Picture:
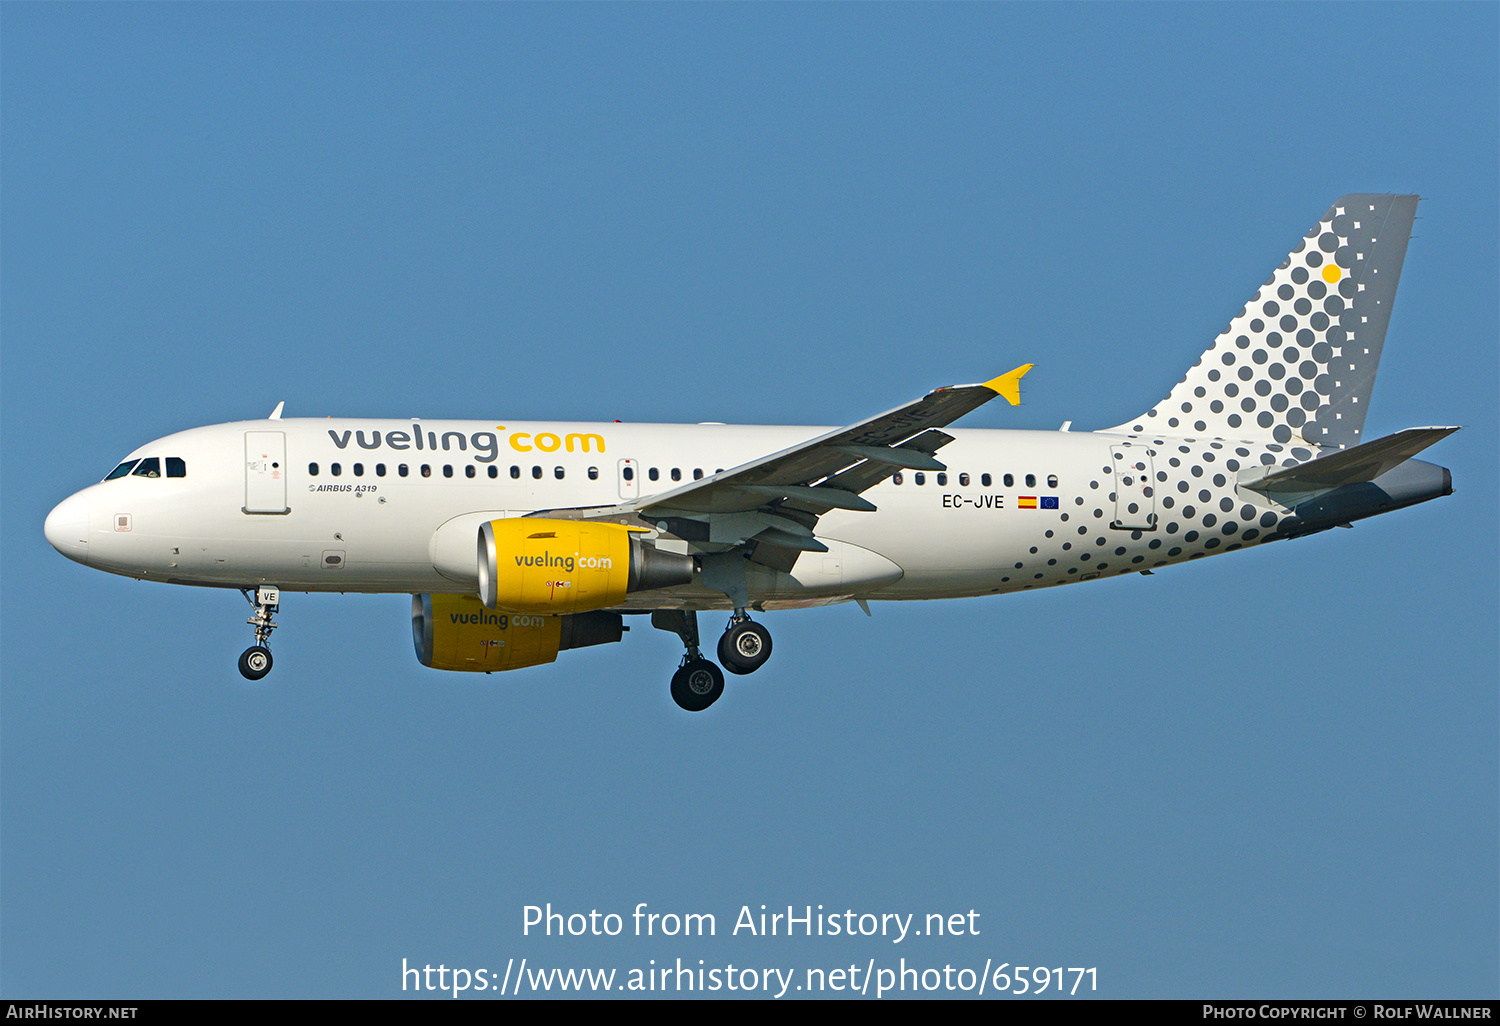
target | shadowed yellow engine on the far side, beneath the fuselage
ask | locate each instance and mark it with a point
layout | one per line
(458, 634)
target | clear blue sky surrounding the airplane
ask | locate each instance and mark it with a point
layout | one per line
(1270, 775)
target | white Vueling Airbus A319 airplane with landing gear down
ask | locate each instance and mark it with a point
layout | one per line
(521, 541)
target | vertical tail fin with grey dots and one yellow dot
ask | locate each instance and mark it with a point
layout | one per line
(1300, 361)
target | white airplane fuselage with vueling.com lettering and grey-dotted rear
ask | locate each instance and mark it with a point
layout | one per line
(358, 506)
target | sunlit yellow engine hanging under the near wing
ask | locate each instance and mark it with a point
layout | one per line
(535, 566)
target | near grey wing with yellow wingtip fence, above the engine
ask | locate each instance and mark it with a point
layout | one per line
(778, 500)
